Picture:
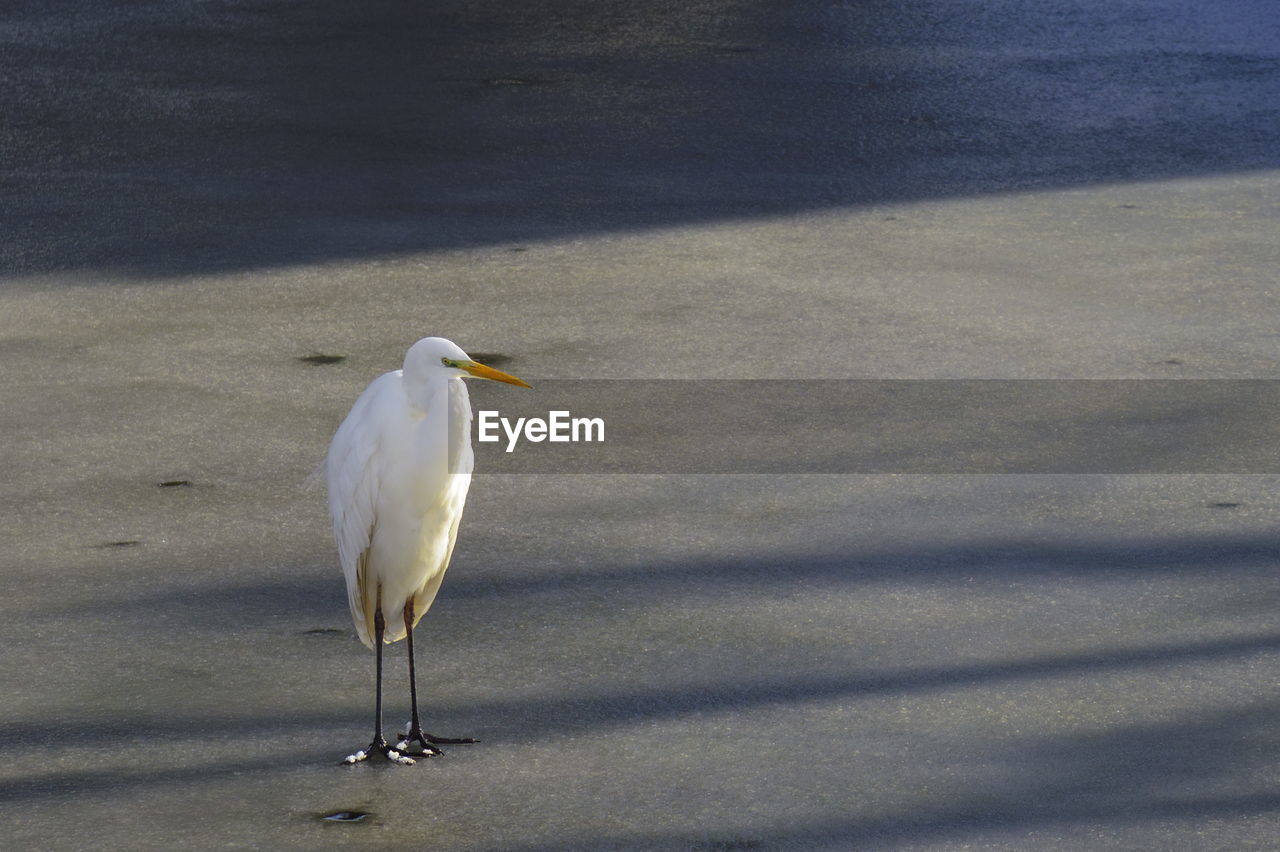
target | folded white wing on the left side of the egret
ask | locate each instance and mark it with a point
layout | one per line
(354, 480)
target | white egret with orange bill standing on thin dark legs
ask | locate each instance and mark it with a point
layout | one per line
(399, 471)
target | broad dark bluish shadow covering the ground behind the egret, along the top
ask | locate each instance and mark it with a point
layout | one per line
(164, 140)
